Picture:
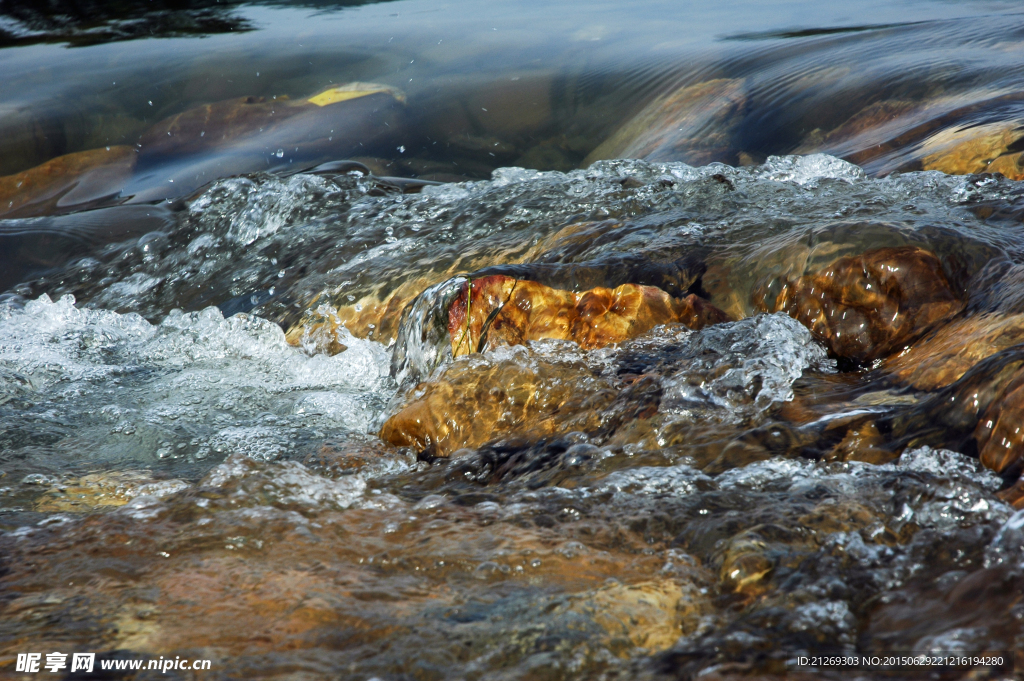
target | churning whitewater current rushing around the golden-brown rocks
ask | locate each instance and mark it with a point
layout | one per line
(163, 364)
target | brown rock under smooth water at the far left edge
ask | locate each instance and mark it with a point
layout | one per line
(67, 182)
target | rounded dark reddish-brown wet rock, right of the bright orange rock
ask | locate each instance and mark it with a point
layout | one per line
(868, 307)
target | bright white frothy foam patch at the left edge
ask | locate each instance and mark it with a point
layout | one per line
(194, 386)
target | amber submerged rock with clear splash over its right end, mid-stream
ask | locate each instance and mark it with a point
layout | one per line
(654, 391)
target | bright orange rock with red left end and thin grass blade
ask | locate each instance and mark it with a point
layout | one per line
(502, 311)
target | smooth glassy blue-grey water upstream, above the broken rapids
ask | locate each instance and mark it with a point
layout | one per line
(539, 89)
